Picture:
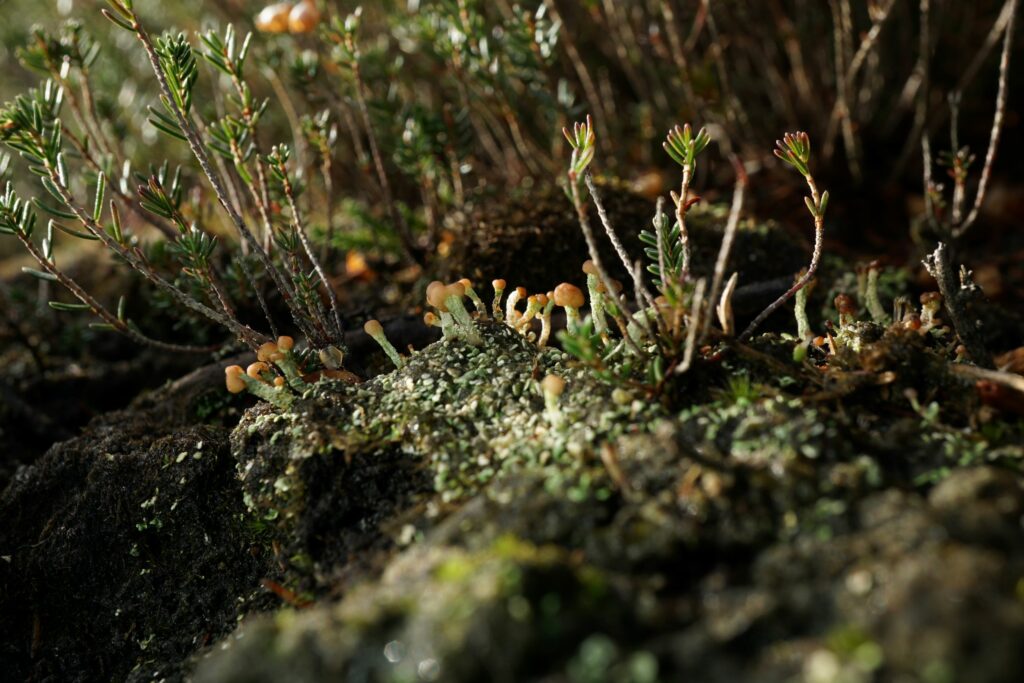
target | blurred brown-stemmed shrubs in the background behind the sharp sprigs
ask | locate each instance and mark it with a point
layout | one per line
(467, 100)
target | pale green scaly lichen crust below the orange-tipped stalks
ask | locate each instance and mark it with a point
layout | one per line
(467, 413)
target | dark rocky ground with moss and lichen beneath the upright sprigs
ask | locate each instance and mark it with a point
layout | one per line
(851, 519)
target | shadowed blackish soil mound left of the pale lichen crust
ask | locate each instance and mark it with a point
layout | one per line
(126, 548)
